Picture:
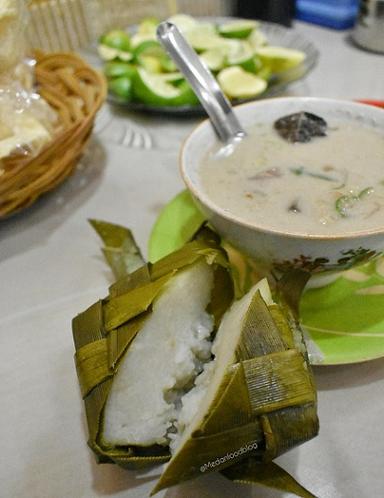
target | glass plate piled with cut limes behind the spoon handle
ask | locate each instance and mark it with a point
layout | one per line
(250, 60)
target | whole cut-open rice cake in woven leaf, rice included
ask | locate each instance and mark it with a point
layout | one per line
(178, 368)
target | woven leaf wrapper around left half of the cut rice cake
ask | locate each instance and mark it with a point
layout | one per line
(104, 332)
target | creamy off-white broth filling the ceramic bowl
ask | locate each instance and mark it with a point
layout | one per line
(330, 185)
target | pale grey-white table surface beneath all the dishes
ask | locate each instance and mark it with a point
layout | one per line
(51, 269)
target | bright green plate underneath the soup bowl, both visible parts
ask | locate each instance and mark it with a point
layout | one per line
(343, 320)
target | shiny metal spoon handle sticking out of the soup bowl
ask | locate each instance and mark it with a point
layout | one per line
(203, 83)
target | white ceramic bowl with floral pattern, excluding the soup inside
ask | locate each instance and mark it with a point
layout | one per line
(282, 249)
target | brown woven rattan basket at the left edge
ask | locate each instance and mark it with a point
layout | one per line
(76, 92)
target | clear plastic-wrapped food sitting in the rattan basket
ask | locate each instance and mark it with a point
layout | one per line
(27, 122)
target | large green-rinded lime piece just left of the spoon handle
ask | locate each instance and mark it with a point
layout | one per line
(152, 89)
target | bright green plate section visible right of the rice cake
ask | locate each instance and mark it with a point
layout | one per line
(345, 318)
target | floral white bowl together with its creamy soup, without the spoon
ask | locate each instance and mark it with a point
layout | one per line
(304, 188)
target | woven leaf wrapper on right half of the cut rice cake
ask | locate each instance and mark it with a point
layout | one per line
(267, 397)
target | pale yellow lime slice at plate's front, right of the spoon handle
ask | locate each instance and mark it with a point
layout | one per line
(239, 84)
